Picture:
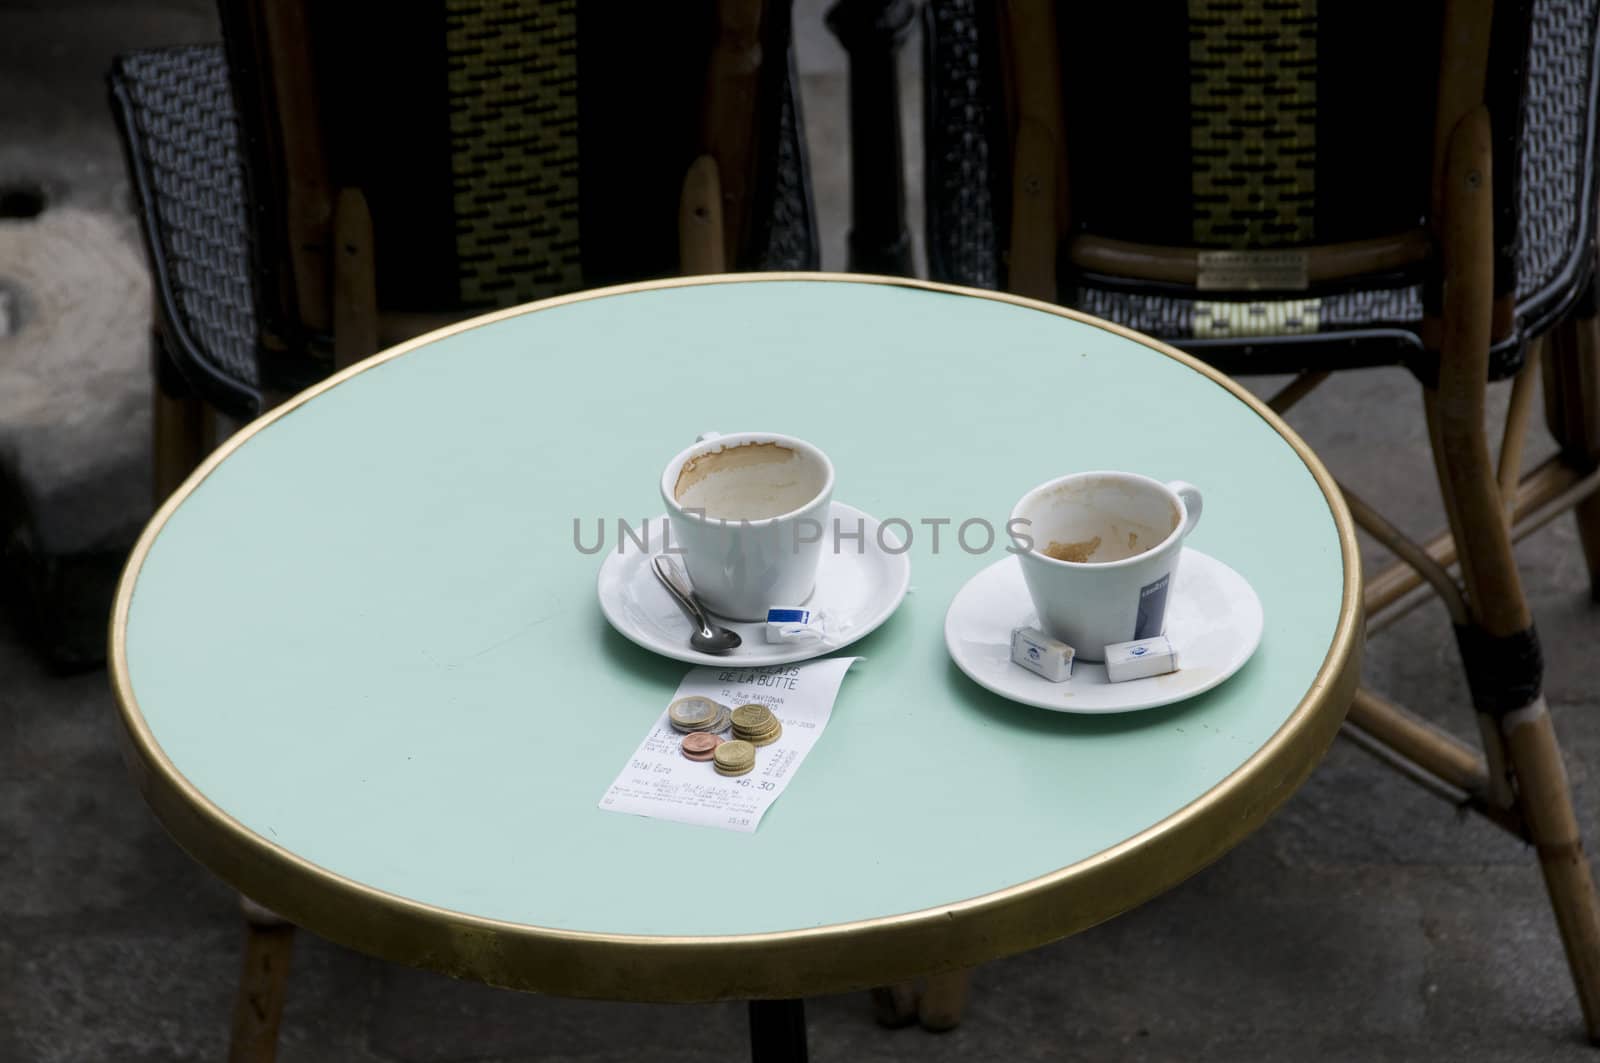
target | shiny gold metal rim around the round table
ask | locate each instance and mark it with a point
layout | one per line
(751, 966)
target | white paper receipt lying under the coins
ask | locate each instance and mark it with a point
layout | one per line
(660, 782)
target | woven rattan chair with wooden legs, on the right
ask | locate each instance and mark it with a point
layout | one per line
(1286, 187)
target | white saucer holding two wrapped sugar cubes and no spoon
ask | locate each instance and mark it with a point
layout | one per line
(1214, 620)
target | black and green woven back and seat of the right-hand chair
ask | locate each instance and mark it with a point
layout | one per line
(1254, 179)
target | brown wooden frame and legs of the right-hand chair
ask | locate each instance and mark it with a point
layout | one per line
(1518, 779)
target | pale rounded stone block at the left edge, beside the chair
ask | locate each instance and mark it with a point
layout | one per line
(74, 422)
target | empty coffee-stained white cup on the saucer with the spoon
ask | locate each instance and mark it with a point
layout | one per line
(750, 511)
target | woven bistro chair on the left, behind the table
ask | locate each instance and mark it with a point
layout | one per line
(342, 177)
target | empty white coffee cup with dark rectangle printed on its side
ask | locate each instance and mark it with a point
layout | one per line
(1100, 553)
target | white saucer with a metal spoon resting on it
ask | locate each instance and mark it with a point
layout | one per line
(857, 593)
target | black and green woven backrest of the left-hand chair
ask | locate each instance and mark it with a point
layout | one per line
(506, 151)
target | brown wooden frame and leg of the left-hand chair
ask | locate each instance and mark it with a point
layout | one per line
(334, 275)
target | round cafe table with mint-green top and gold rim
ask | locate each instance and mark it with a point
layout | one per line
(364, 676)
